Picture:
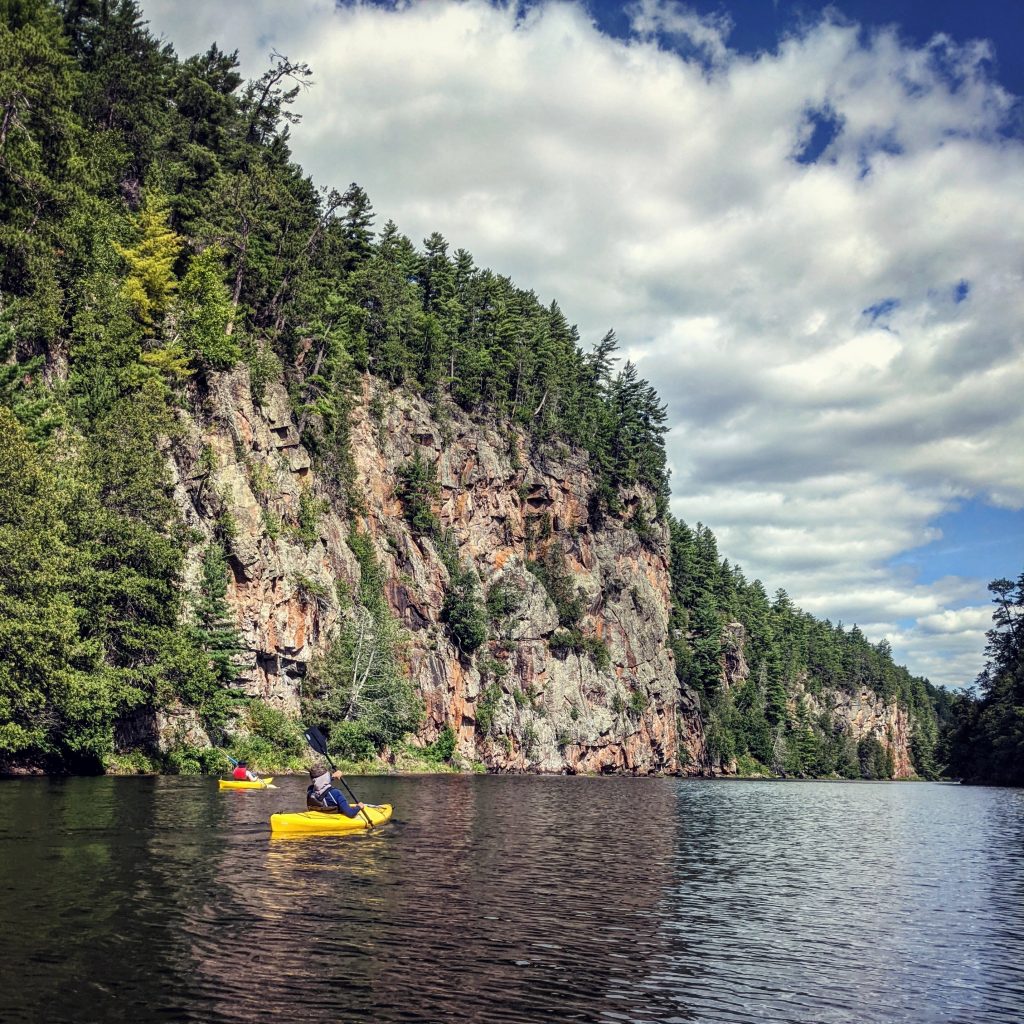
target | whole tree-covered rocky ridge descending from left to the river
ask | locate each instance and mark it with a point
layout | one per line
(267, 460)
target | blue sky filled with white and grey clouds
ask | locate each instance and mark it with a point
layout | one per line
(805, 225)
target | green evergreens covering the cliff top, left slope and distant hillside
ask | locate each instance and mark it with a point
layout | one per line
(154, 232)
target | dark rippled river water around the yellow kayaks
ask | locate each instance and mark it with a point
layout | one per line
(515, 900)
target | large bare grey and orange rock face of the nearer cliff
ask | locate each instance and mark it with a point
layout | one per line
(243, 475)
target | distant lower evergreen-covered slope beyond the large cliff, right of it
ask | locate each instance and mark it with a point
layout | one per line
(782, 714)
